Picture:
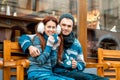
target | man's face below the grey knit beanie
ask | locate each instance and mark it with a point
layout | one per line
(66, 26)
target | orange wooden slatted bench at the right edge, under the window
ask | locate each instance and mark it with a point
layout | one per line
(112, 58)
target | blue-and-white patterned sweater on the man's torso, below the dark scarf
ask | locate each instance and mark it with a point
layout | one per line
(74, 52)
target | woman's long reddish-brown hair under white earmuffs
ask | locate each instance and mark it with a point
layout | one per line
(60, 50)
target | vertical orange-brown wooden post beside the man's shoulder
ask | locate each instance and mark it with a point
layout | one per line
(82, 28)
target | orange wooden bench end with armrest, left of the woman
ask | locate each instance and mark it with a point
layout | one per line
(13, 58)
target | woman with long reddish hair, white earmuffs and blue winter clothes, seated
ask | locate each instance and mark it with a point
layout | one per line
(46, 42)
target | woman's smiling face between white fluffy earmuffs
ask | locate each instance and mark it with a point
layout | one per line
(50, 28)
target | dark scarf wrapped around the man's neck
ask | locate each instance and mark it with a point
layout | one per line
(68, 40)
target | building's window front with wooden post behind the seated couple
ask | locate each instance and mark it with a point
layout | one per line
(96, 21)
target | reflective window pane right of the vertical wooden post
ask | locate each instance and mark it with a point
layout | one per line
(103, 25)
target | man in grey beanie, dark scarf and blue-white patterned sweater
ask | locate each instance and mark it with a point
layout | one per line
(72, 62)
